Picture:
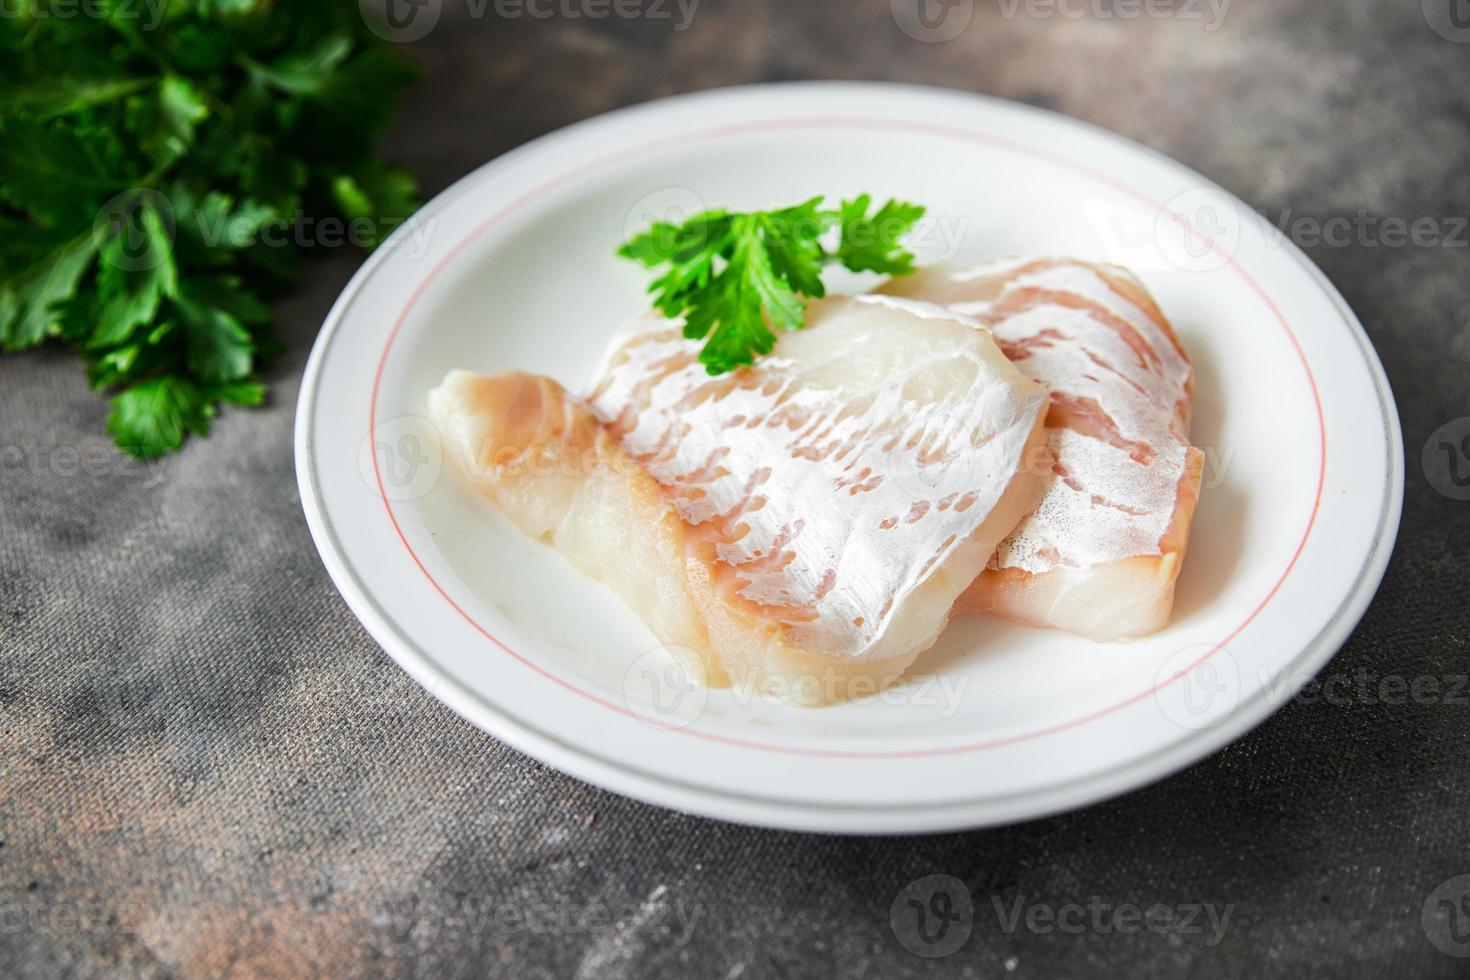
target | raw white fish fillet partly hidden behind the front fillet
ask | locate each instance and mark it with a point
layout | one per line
(1102, 552)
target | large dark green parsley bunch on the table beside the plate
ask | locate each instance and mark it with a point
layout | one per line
(162, 168)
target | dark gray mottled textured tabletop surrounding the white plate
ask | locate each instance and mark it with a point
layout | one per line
(209, 769)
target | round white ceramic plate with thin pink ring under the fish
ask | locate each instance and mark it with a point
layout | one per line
(514, 268)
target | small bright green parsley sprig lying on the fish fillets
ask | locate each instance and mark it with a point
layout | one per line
(736, 278)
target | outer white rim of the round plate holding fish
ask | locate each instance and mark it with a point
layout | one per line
(774, 812)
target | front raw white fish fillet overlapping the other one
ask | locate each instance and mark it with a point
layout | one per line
(800, 528)
